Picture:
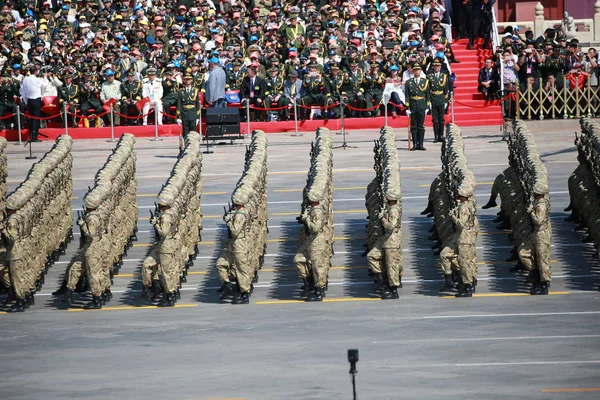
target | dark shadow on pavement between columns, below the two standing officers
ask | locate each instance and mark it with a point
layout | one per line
(419, 258)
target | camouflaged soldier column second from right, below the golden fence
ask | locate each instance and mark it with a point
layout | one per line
(525, 208)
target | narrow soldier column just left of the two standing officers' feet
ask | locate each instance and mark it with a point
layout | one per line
(384, 229)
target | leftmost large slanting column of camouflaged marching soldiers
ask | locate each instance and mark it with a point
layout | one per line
(38, 223)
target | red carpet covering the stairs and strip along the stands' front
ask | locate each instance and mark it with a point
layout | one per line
(470, 112)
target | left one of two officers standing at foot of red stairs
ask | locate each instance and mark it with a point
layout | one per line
(417, 104)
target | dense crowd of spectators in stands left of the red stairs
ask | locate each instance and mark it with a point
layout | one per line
(157, 57)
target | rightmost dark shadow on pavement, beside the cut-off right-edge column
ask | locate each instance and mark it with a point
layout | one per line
(578, 262)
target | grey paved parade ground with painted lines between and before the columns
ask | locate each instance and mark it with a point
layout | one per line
(502, 344)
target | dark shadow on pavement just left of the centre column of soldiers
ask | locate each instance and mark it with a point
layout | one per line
(285, 283)
